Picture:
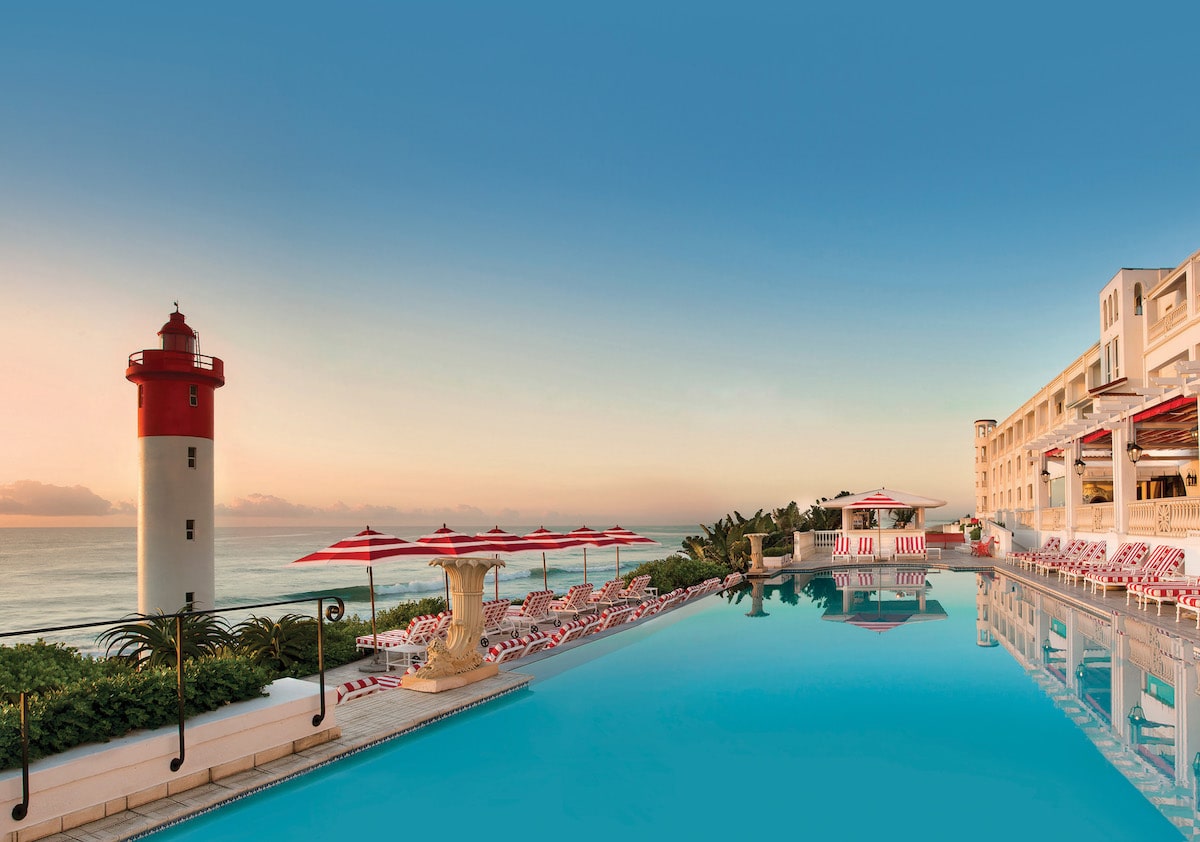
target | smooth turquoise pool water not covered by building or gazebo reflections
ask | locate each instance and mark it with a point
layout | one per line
(709, 723)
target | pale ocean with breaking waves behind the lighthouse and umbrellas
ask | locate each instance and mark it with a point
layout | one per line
(65, 576)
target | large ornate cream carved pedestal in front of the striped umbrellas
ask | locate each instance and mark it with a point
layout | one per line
(458, 661)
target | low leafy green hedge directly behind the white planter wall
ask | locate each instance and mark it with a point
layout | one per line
(99, 709)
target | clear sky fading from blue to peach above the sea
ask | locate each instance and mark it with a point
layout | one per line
(563, 263)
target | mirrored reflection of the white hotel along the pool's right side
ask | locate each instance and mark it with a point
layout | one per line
(1127, 685)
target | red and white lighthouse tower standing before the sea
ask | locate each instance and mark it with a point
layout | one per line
(176, 548)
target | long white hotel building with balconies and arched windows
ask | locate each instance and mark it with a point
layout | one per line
(1109, 448)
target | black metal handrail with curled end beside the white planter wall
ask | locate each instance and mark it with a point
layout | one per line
(333, 614)
